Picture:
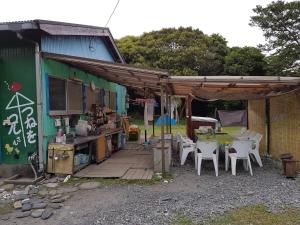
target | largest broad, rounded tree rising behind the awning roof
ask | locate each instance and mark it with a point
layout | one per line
(182, 51)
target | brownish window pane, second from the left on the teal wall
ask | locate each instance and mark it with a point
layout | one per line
(74, 93)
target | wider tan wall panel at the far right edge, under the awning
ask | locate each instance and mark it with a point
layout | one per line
(285, 125)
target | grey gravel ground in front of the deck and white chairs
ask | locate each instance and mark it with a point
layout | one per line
(198, 197)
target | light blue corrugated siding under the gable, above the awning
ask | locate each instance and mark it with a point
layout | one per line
(80, 46)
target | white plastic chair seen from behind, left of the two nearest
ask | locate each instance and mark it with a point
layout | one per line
(207, 151)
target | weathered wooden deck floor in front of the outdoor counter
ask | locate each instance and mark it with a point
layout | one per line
(132, 163)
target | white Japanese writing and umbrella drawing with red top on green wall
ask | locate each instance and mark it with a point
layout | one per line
(20, 120)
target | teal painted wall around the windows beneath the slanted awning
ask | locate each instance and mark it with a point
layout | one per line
(61, 70)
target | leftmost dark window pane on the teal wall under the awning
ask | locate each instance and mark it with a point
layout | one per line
(57, 96)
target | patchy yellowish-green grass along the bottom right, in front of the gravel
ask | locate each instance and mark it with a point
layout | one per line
(254, 215)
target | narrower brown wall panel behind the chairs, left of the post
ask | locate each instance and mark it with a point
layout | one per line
(257, 121)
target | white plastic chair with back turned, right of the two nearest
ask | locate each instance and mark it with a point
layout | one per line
(242, 149)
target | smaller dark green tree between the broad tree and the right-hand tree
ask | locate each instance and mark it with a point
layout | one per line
(247, 61)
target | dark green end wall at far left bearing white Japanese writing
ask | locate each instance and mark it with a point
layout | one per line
(17, 102)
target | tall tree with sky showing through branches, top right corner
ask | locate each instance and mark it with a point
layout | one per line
(280, 22)
